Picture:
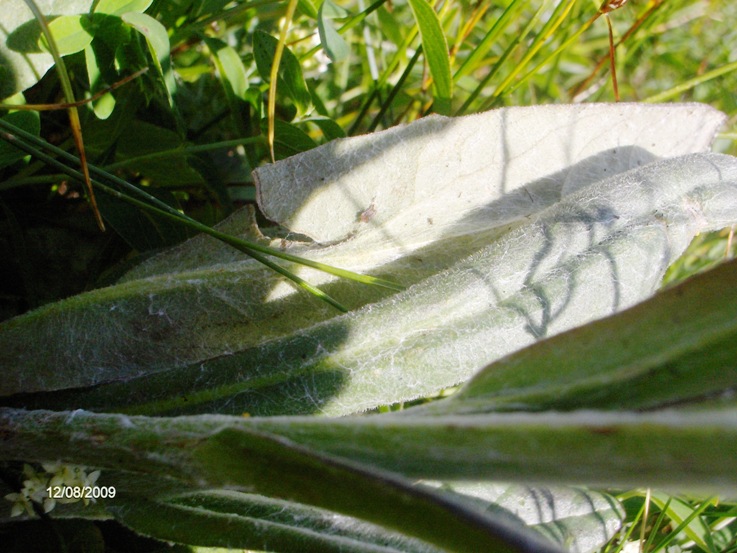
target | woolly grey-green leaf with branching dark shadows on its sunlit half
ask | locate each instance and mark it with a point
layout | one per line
(597, 251)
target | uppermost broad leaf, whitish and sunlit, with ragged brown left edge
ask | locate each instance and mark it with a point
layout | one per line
(462, 173)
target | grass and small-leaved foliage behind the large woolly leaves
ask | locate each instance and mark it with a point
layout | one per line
(191, 128)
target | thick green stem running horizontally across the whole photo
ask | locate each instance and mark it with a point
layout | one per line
(663, 449)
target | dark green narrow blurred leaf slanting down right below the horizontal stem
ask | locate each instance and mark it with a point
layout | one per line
(283, 469)
